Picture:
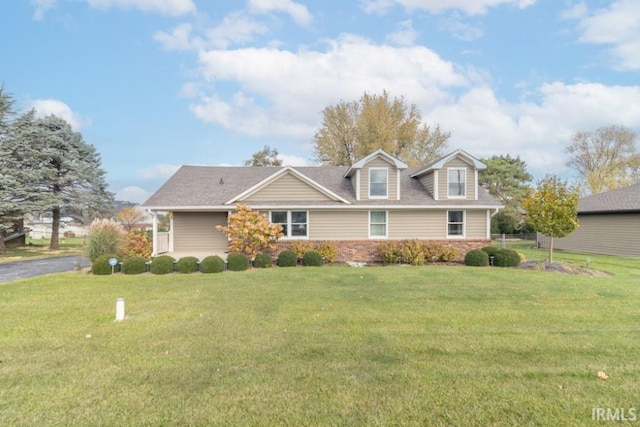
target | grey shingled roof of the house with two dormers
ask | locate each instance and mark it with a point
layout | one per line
(212, 186)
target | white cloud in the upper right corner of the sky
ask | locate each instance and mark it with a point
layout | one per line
(617, 26)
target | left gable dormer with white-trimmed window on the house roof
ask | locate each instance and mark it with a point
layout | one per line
(376, 177)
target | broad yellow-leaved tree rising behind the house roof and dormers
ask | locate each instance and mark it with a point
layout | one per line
(352, 130)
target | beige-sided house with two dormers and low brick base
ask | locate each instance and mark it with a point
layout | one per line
(377, 199)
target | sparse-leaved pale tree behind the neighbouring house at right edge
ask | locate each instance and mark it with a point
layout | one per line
(606, 158)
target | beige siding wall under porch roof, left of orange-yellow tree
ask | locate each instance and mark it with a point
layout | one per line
(196, 232)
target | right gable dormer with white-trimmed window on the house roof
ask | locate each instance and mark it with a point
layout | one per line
(453, 177)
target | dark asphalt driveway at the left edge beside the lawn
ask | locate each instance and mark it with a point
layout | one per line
(11, 271)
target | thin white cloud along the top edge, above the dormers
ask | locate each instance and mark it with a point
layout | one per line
(469, 7)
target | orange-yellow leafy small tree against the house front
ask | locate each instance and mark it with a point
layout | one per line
(249, 231)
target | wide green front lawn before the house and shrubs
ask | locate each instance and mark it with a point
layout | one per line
(430, 345)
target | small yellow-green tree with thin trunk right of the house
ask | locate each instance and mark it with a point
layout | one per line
(552, 209)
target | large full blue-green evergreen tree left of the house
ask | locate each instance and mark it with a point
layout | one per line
(65, 171)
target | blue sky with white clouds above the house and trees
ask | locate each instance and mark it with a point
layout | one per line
(155, 84)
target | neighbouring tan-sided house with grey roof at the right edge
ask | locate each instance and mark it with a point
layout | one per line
(609, 224)
